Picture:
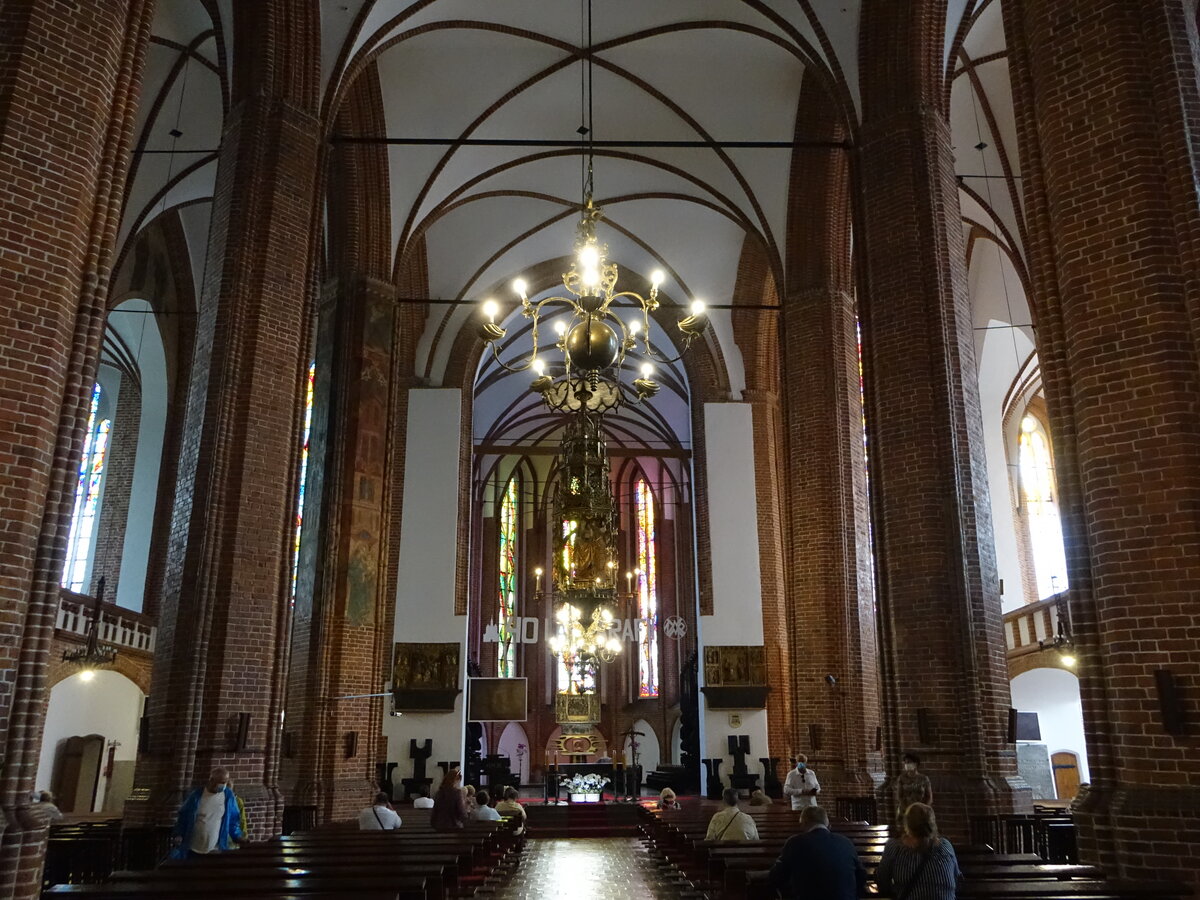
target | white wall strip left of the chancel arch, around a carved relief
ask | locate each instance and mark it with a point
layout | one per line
(425, 591)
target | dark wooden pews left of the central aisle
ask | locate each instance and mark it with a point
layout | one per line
(413, 863)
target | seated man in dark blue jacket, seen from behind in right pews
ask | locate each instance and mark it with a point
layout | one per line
(818, 865)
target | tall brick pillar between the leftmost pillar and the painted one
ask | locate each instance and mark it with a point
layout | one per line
(224, 621)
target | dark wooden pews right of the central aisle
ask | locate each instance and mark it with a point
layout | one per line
(739, 872)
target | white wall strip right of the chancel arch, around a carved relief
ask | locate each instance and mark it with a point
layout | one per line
(737, 579)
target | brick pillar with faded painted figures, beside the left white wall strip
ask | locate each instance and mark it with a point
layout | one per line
(337, 647)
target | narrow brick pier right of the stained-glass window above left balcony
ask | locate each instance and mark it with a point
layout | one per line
(119, 470)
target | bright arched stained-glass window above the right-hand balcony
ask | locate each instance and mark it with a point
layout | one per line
(1042, 509)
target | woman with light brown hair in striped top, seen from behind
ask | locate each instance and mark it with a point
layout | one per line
(920, 865)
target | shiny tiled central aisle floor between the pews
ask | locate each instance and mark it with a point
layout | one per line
(593, 868)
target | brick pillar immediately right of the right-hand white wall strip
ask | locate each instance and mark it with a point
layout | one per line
(831, 617)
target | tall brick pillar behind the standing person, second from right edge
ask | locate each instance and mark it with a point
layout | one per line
(944, 667)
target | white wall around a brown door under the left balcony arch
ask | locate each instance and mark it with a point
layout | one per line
(109, 705)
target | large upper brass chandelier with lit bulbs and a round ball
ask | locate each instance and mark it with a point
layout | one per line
(595, 339)
